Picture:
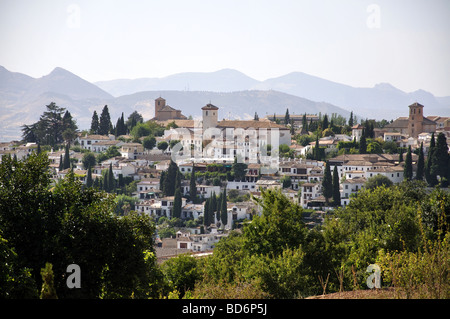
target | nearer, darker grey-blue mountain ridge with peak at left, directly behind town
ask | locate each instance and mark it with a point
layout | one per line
(81, 98)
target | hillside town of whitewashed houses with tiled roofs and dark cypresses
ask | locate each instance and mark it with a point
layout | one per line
(299, 155)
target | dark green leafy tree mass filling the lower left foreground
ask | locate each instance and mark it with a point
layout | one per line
(68, 224)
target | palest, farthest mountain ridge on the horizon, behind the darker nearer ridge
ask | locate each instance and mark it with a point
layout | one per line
(381, 101)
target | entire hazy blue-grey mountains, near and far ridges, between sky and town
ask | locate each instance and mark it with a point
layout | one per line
(23, 98)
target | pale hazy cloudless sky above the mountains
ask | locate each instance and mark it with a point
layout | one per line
(355, 42)
